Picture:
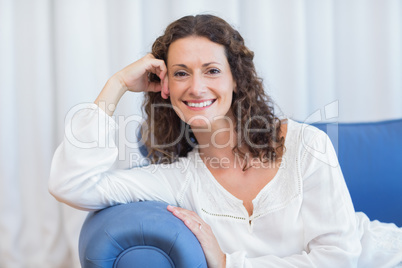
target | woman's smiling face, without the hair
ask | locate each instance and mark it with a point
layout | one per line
(200, 81)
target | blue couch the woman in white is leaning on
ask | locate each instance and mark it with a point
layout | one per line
(145, 234)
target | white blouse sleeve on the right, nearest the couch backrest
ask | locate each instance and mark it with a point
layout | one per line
(330, 235)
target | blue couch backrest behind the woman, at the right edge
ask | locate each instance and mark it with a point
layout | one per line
(370, 155)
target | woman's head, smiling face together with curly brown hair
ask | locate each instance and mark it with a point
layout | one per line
(208, 61)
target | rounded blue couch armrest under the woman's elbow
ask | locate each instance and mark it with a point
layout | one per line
(141, 234)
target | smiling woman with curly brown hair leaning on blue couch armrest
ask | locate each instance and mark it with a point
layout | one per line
(286, 205)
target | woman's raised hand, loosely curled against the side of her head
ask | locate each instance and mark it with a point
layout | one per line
(135, 77)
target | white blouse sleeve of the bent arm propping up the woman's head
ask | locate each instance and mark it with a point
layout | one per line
(82, 173)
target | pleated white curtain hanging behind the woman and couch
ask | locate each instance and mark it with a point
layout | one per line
(340, 58)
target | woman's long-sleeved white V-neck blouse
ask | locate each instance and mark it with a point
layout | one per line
(303, 217)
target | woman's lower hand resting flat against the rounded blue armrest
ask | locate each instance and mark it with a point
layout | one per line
(213, 253)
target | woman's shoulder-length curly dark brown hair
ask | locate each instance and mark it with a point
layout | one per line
(257, 127)
